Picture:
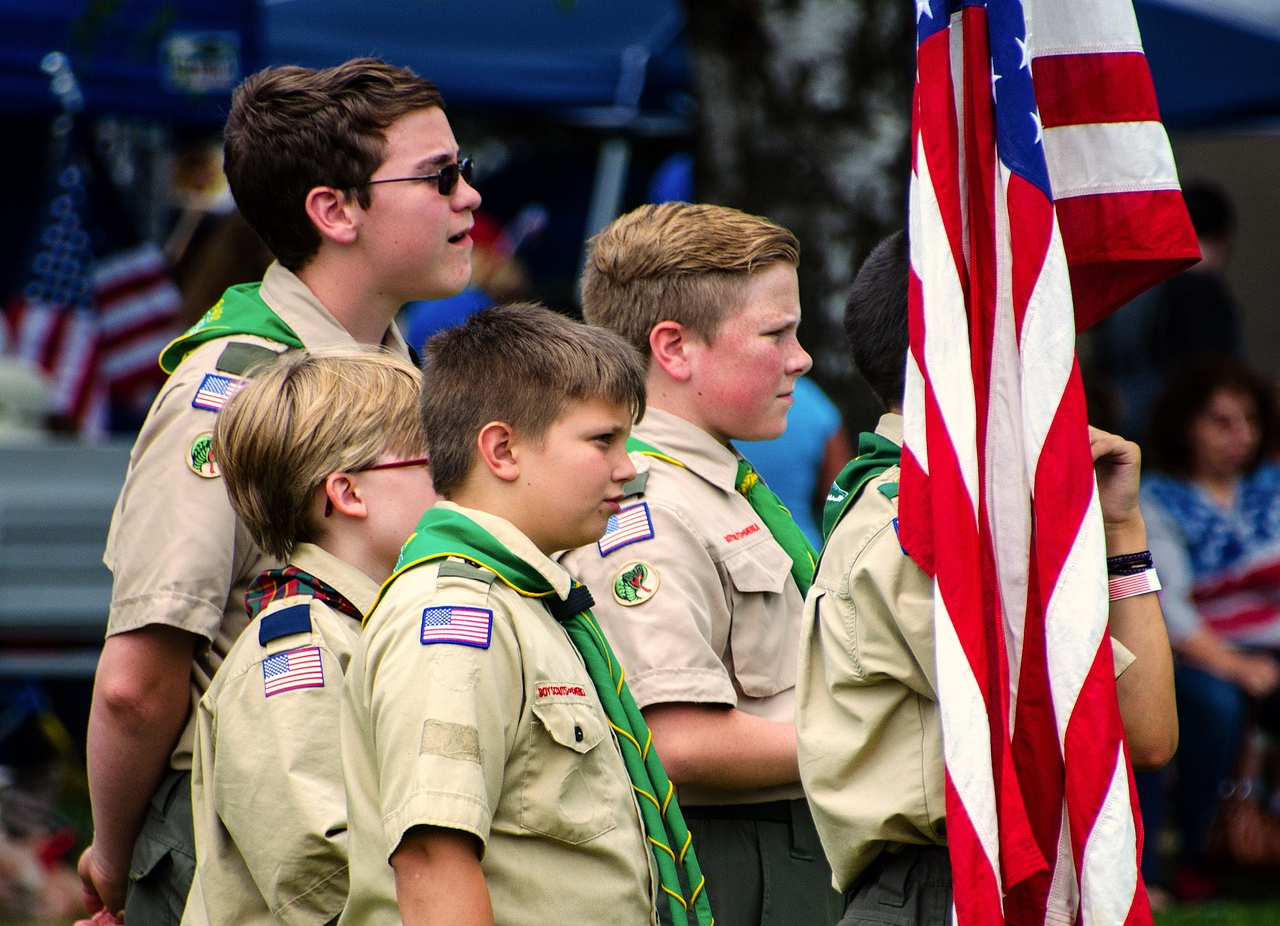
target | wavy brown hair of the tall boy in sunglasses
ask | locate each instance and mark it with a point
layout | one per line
(292, 130)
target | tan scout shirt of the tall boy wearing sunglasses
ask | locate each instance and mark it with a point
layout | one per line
(177, 554)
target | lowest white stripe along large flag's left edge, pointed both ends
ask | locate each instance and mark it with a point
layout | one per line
(966, 736)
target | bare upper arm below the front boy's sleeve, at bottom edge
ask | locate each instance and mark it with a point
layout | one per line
(440, 881)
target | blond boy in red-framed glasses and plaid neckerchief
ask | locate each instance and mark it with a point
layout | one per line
(336, 496)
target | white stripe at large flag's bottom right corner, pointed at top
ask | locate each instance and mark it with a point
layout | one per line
(1109, 878)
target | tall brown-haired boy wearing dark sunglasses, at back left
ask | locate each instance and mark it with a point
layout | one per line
(351, 176)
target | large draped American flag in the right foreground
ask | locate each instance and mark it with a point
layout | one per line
(1044, 195)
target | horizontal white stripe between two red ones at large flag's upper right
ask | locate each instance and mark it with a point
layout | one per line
(1109, 158)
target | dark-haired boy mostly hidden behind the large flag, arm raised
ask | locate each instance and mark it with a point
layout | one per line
(870, 733)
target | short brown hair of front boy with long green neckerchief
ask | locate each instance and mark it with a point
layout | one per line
(519, 364)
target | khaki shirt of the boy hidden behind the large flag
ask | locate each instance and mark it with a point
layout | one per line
(867, 722)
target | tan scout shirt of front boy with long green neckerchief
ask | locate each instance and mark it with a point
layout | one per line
(508, 742)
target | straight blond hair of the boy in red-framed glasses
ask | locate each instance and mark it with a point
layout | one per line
(303, 418)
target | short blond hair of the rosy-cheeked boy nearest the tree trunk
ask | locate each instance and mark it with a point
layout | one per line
(678, 262)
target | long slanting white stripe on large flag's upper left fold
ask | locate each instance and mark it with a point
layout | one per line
(947, 344)
